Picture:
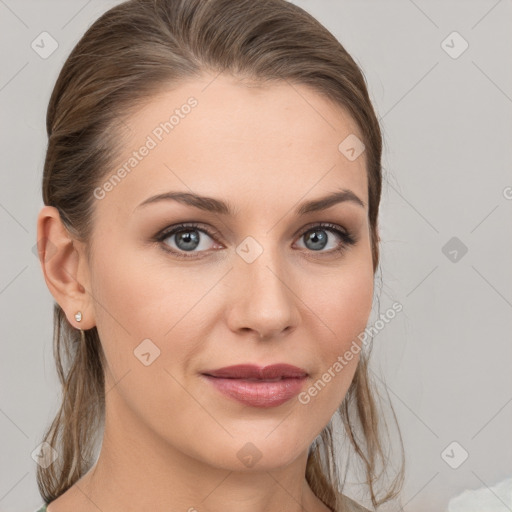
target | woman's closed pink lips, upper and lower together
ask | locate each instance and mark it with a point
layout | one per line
(256, 386)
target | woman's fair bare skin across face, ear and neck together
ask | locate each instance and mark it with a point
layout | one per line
(168, 434)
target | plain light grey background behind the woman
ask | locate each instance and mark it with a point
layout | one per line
(446, 214)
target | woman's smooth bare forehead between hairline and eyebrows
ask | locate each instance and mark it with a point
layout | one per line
(238, 140)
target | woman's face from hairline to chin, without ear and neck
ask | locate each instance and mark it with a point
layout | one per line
(259, 285)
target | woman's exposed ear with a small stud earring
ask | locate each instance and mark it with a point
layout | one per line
(65, 267)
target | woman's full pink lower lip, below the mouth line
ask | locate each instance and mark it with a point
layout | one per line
(258, 393)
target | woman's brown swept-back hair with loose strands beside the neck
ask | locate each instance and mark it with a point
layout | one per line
(130, 53)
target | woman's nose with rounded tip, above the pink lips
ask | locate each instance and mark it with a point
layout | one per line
(264, 299)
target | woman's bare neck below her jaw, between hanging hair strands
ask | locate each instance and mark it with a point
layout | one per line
(155, 475)
